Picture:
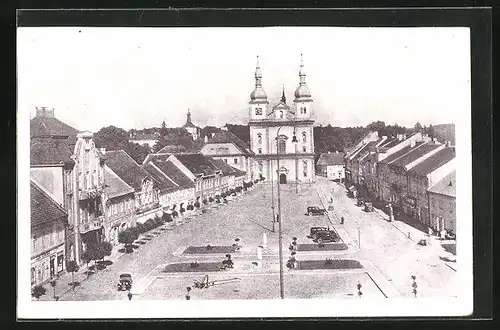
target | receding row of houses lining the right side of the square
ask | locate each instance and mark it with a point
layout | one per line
(413, 172)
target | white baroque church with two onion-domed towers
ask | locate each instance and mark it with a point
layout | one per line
(281, 136)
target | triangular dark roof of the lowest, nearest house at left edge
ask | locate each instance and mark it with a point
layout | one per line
(44, 209)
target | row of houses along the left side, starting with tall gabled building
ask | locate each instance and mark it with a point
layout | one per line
(81, 195)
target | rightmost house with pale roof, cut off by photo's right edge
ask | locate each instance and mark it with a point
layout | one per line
(442, 204)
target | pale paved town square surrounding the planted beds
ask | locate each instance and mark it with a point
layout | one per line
(387, 255)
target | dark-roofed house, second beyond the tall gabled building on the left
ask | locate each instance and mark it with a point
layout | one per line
(146, 188)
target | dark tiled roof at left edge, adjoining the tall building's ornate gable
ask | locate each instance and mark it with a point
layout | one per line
(49, 151)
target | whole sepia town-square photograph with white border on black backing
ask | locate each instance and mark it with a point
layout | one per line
(258, 171)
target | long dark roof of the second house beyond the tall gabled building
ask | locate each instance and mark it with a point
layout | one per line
(127, 169)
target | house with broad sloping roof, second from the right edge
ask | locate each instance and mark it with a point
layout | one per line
(421, 177)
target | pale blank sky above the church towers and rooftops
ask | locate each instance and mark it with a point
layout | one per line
(139, 77)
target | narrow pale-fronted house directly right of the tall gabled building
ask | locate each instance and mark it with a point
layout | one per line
(119, 205)
